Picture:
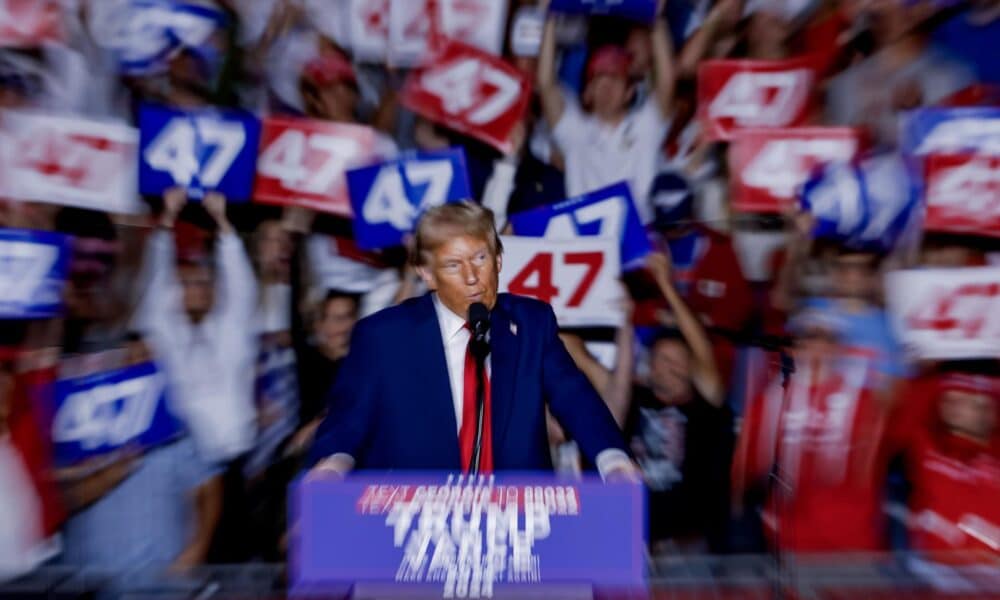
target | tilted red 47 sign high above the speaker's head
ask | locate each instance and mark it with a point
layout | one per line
(470, 91)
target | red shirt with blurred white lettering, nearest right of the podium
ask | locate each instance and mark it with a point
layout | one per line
(824, 431)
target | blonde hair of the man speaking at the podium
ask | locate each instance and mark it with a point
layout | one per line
(442, 223)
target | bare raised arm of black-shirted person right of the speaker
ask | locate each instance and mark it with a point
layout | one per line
(706, 374)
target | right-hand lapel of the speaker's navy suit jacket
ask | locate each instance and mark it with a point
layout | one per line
(503, 379)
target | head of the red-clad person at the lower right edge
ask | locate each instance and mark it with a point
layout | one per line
(967, 406)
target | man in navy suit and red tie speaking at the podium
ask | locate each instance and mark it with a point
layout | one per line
(458, 379)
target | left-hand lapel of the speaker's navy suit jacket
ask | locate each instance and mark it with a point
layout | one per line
(432, 369)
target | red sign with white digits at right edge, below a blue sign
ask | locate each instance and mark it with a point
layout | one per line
(962, 194)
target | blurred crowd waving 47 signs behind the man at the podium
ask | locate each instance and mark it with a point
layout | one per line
(795, 320)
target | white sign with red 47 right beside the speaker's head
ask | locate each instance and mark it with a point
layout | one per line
(578, 277)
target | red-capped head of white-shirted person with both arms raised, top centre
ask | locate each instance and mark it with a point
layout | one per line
(608, 90)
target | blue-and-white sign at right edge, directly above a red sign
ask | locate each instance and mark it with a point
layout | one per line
(951, 130)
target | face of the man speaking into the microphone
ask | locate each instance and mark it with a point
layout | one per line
(463, 271)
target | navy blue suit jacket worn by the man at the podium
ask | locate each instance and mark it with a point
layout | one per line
(391, 407)
